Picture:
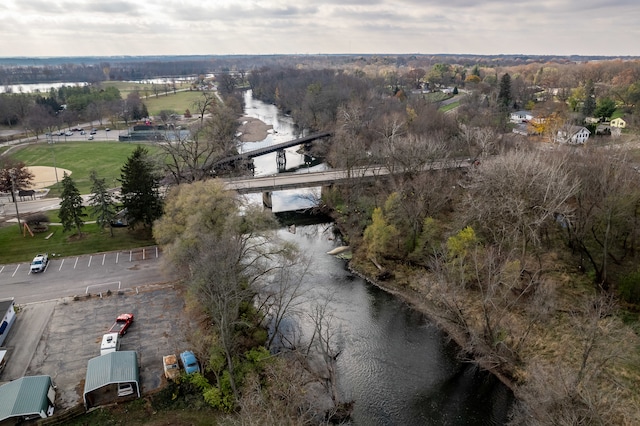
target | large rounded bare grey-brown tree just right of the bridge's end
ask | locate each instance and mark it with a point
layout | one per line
(513, 197)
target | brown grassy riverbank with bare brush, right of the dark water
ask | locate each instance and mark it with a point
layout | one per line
(572, 355)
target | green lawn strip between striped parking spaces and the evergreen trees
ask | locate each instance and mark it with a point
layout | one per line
(19, 248)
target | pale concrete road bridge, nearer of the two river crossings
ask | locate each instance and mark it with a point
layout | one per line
(278, 182)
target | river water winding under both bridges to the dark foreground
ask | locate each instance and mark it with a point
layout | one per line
(397, 366)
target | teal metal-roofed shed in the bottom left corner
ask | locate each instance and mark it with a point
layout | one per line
(27, 397)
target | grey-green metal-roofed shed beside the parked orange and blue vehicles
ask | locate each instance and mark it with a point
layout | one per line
(120, 367)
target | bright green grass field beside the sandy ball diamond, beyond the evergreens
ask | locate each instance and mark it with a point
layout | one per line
(106, 158)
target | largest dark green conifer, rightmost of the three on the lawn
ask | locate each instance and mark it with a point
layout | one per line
(140, 189)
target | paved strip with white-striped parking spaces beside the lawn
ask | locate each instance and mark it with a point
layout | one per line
(78, 275)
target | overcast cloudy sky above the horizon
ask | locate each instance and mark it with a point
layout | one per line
(216, 27)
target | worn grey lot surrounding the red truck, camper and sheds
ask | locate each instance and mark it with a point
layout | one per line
(58, 337)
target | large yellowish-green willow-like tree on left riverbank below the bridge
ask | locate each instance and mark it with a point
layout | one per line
(226, 258)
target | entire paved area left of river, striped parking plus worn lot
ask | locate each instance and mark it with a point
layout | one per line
(64, 312)
